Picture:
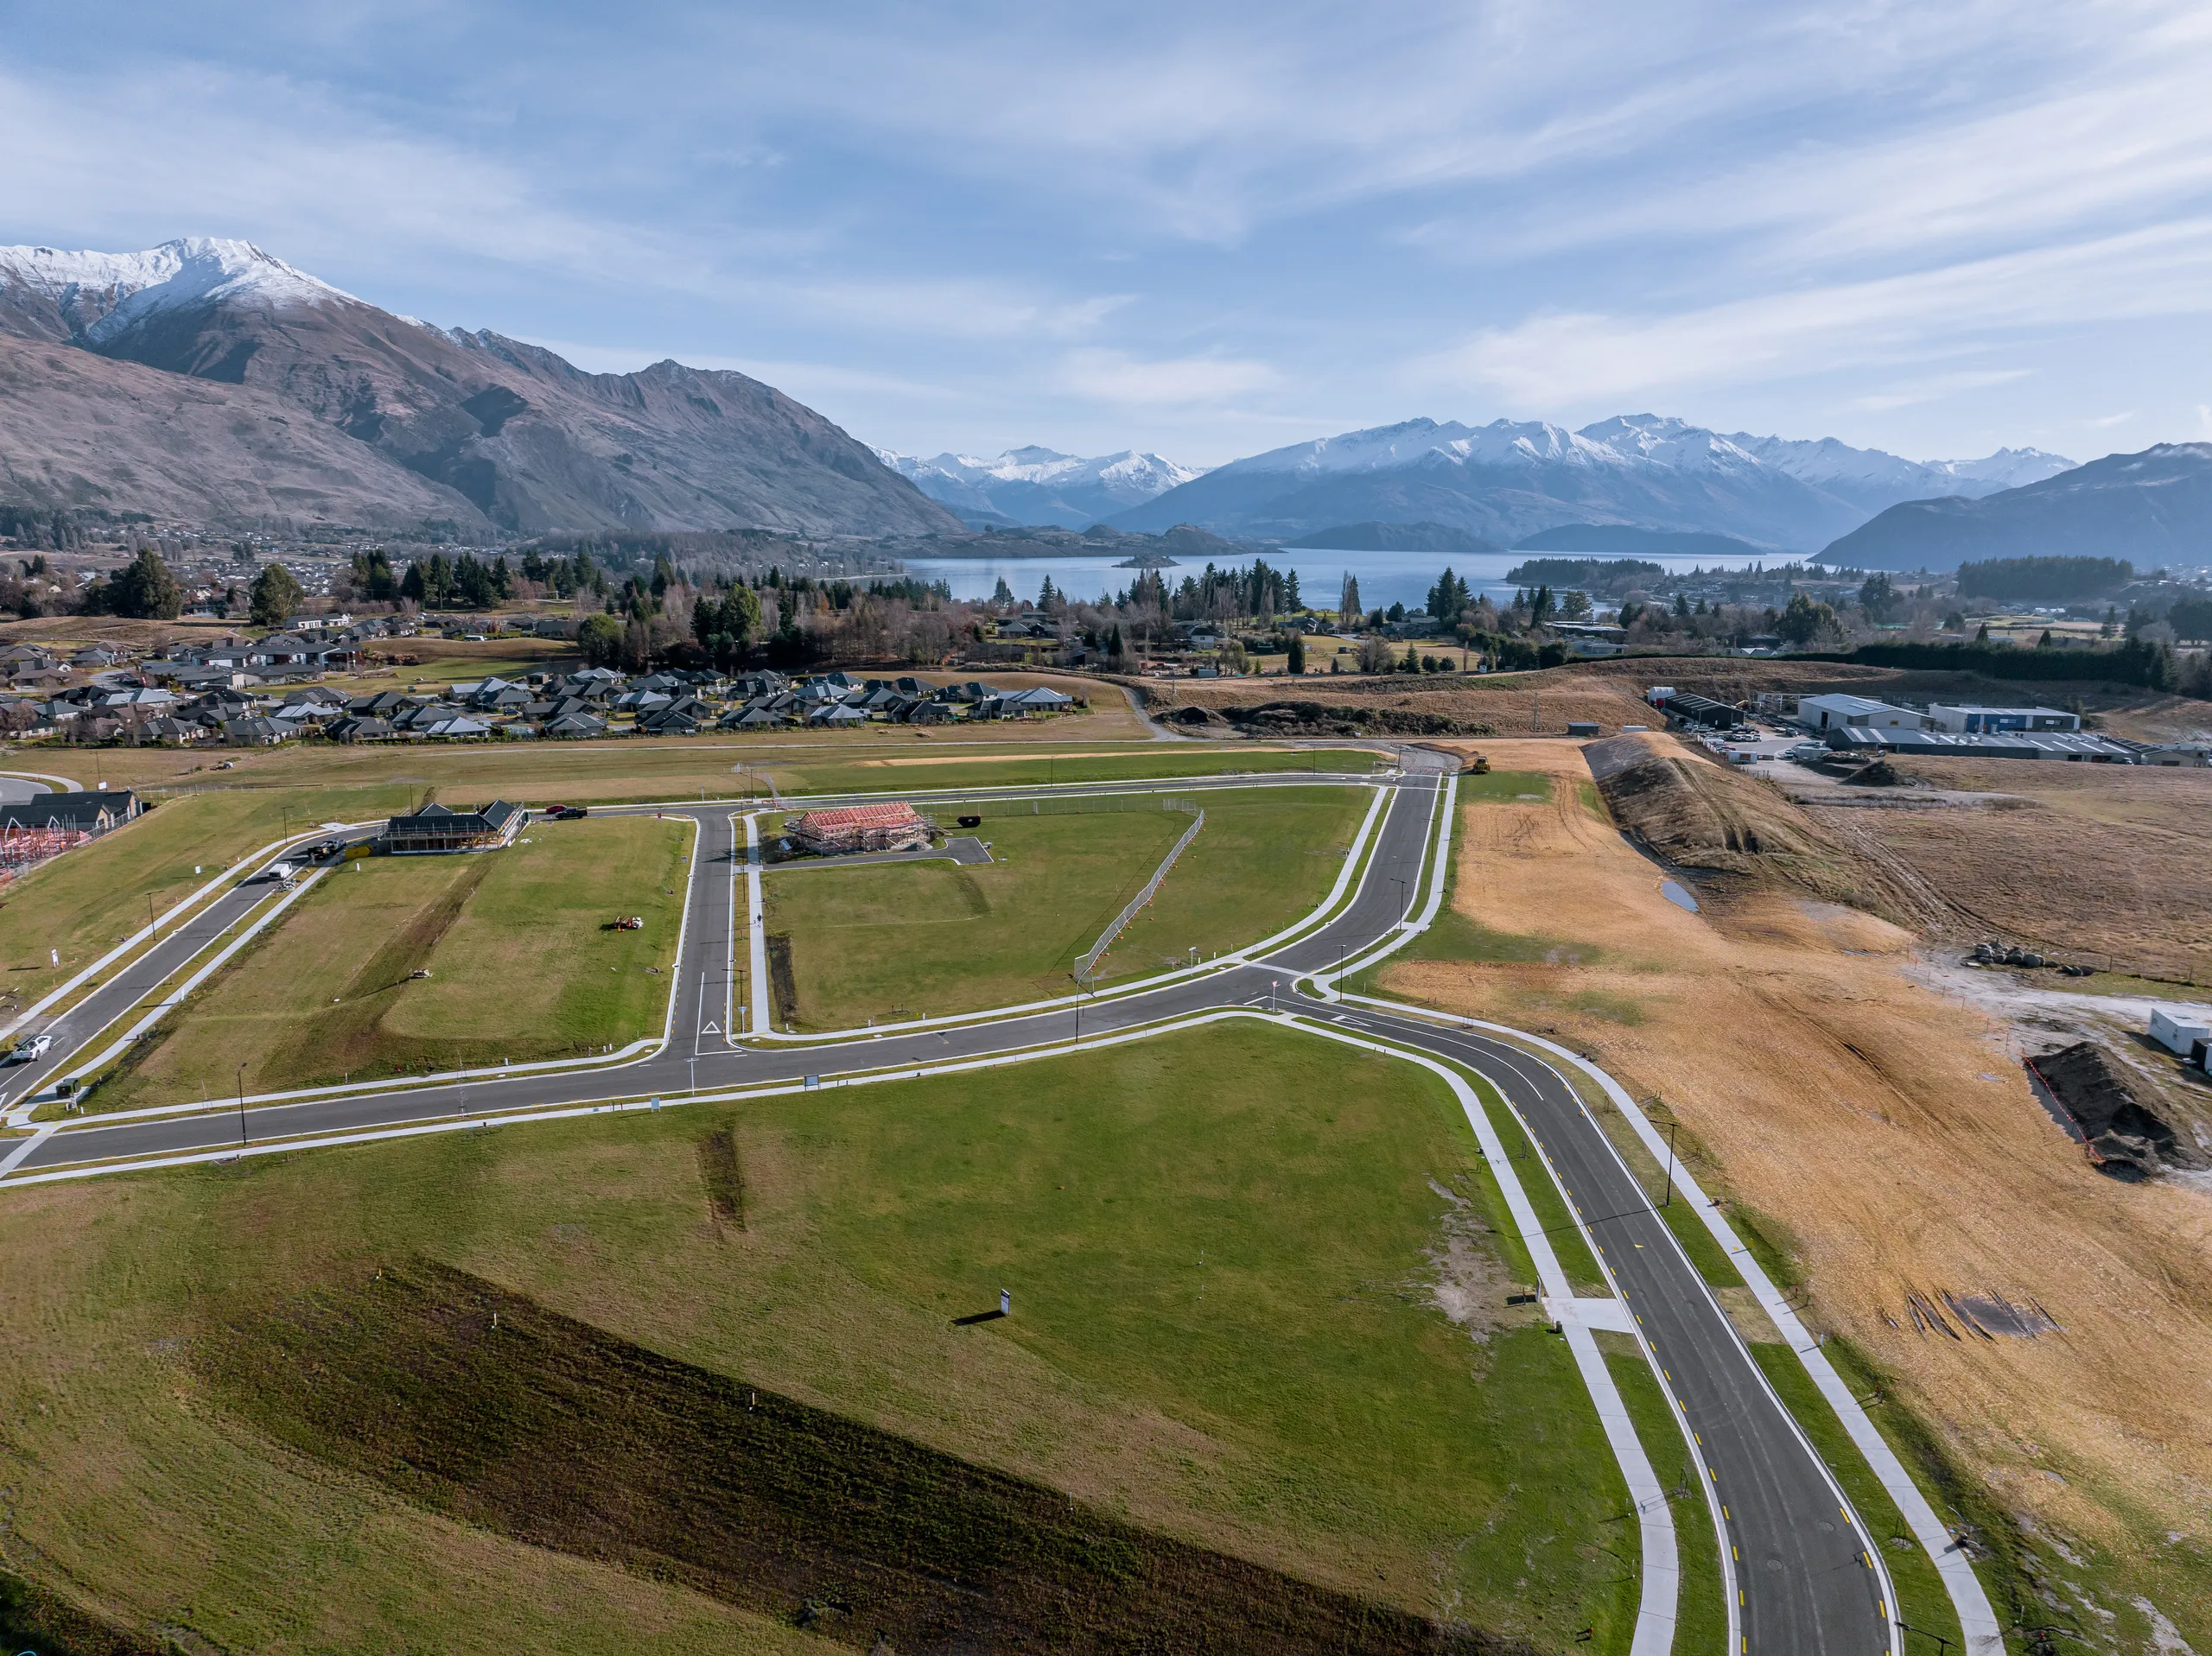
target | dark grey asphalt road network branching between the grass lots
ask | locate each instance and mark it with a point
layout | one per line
(1806, 1584)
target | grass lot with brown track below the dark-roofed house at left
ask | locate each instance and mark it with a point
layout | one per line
(523, 965)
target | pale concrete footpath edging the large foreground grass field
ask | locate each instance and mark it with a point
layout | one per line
(1658, 1602)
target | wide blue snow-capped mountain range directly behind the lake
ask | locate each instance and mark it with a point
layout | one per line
(1510, 481)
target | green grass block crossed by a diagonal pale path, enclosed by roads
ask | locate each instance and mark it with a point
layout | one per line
(930, 939)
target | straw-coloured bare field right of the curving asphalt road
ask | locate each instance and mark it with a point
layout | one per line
(1881, 1140)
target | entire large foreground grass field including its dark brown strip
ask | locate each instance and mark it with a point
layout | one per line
(1227, 1255)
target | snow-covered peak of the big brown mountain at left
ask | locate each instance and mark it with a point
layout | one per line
(101, 295)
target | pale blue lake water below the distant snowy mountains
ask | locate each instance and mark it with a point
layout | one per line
(1386, 578)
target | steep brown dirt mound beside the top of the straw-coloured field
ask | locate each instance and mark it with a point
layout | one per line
(1704, 817)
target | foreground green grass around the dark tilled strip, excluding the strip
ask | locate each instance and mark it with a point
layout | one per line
(1224, 1253)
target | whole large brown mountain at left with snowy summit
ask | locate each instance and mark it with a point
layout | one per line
(218, 384)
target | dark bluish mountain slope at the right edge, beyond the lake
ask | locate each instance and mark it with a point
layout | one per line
(2151, 507)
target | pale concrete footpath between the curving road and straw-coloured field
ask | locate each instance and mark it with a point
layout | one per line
(1970, 1602)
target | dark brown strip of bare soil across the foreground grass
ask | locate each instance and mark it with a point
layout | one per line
(501, 1414)
